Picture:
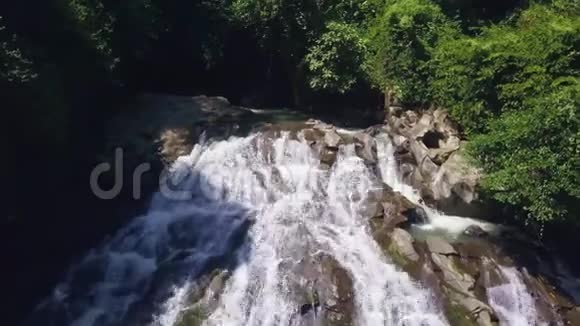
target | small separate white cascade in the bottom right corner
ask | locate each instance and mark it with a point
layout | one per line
(511, 301)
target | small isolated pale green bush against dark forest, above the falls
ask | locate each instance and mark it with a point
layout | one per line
(336, 60)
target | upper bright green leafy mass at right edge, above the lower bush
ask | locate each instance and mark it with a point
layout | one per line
(477, 78)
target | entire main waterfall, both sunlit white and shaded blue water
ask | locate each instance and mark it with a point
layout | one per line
(257, 206)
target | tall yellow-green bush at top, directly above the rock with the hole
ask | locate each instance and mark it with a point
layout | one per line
(402, 41)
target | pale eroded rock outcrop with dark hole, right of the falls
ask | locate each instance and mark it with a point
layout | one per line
(428, 144)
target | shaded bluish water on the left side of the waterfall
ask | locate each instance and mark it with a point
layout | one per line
(189, 231)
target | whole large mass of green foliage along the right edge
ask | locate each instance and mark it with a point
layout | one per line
(515, 89)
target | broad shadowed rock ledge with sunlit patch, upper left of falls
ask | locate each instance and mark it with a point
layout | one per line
(165, 127)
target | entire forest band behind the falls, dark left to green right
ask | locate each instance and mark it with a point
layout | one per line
(508, 71)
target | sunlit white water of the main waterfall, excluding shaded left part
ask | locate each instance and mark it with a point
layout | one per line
(301, 210)
